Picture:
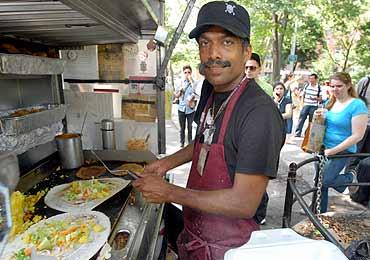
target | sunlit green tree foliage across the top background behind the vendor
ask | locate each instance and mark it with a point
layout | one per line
(319, 21)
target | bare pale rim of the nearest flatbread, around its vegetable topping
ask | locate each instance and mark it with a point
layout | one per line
(83, 252)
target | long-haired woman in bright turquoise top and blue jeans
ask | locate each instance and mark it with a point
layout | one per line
(346, 120)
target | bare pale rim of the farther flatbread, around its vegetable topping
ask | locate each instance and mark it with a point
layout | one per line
(54, 199)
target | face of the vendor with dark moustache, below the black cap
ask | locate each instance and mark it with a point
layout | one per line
(223, 57)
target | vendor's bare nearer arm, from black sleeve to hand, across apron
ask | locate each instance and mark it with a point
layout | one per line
(240, 201)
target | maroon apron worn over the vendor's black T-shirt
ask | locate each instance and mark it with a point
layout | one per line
(208, 236)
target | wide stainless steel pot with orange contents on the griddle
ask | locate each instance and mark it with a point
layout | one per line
(70, 150)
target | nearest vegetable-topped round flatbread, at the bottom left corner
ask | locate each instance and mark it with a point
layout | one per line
(71, 236)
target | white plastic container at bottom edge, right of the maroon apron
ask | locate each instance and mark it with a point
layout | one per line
(283, 244)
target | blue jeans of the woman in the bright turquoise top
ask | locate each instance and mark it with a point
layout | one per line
(331, 177)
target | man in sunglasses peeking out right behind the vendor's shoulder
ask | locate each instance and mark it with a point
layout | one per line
(253, 71)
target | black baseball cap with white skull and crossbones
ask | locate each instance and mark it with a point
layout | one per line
(228, 15)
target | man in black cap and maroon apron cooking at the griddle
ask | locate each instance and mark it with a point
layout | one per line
(237, 147)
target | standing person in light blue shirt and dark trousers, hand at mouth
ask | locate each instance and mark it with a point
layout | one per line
(187, 102)
